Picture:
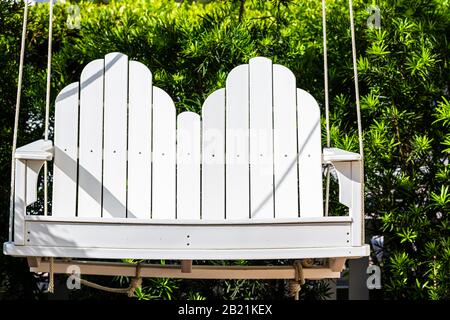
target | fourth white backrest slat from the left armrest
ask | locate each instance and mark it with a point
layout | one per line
(139, 141)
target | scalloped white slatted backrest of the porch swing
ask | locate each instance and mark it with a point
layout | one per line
(121, 151)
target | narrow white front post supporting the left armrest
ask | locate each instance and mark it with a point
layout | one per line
(20, 202)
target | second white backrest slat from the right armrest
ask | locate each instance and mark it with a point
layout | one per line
(285, 142)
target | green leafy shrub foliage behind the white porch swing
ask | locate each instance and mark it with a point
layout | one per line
(191, 46)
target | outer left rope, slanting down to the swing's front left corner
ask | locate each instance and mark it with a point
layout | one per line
(16, 118)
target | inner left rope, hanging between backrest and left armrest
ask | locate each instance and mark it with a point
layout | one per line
(47, 100)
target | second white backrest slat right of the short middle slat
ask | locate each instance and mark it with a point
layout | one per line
(237, 144)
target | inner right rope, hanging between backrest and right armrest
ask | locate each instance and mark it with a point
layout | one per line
(327, 100)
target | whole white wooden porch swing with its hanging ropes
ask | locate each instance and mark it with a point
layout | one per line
(132, 179)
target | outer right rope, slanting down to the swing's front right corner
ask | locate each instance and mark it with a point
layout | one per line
(358, 111)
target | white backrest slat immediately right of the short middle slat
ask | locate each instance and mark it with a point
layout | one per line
(213, 156)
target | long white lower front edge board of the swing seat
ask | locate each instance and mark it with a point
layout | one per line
(194, 254)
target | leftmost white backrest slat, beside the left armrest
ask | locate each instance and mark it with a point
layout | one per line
(66, 152)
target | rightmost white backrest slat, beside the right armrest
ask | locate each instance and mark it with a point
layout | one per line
(310, 154)
